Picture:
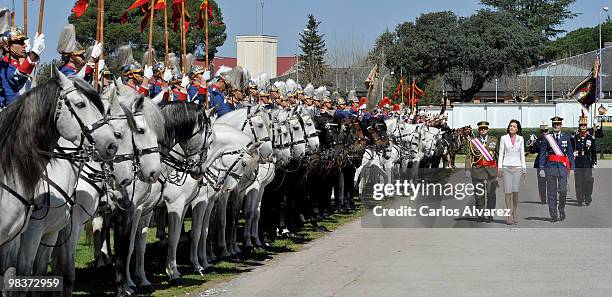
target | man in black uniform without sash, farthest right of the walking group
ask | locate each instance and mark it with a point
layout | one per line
(585, 160)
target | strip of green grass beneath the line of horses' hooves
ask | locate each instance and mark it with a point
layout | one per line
(99, 282)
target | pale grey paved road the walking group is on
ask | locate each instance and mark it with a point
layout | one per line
(358, 261)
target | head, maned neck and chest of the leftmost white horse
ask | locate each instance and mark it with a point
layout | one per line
(30, 127)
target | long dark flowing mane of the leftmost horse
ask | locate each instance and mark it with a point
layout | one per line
(27, 127)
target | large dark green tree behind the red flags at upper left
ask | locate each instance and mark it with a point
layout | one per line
(117, 34)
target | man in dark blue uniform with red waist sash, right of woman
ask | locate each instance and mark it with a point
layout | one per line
(555, 162)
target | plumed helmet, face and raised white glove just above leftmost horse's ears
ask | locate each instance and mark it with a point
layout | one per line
(73, 55)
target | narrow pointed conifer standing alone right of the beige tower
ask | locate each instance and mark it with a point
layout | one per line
(313, 52)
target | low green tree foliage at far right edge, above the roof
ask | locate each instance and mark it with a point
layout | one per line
(579, 41)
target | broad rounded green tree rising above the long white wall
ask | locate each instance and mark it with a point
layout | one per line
(467, 51)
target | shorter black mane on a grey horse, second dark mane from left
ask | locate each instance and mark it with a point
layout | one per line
(181, 119)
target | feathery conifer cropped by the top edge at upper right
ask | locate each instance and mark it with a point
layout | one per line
(542, 16)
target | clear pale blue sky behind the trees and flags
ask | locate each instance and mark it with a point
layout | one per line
(348, 25)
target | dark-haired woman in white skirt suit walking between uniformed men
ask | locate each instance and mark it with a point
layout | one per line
(512, 165)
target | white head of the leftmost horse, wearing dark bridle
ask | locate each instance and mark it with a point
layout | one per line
(79, 116)
